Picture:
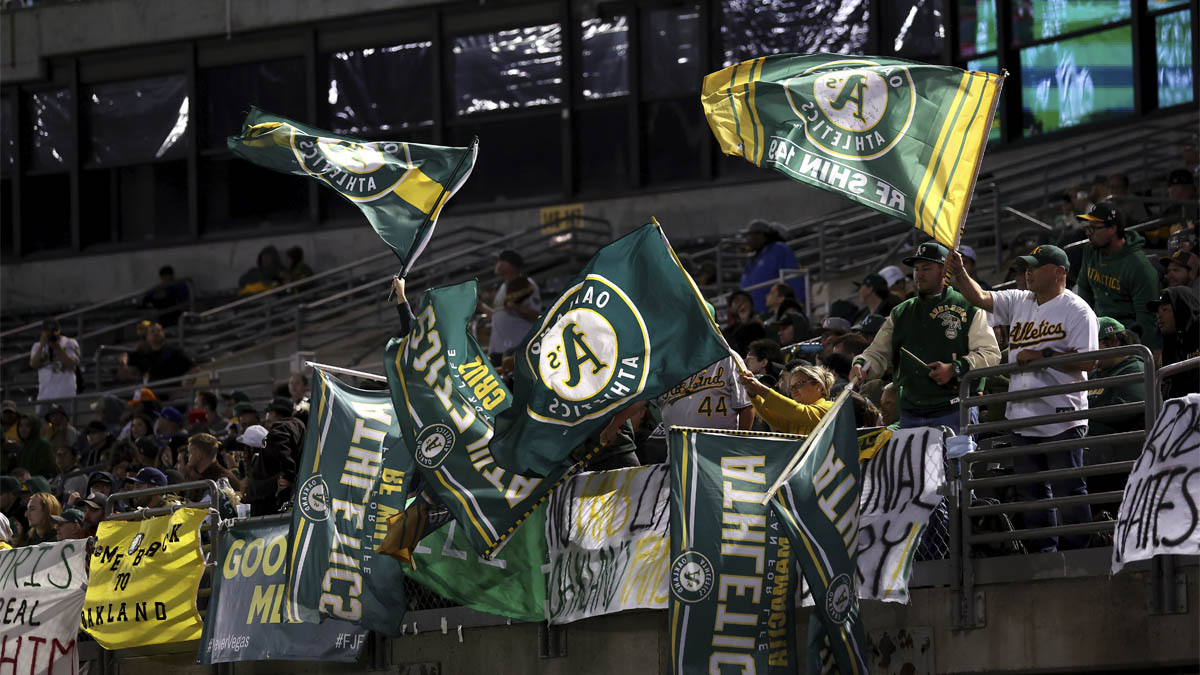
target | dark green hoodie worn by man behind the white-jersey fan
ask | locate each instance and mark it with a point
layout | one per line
(1120, 285)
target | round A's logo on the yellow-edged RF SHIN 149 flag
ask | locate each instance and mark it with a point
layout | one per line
(851, 111)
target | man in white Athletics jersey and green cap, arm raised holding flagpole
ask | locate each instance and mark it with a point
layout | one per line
(1047, 321)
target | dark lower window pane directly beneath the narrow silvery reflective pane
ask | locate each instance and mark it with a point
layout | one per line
(602, 148)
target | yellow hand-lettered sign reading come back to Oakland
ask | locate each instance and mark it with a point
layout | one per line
(143, 581)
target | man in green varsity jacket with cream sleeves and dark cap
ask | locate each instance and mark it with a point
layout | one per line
(929, 342)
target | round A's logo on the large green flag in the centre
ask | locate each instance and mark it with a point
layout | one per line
(592, 351)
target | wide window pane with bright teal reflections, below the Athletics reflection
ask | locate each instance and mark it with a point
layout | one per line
(1078, 81)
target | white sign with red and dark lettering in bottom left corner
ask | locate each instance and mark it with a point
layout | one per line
(41, 594)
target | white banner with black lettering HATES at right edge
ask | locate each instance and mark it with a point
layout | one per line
(1161, 509)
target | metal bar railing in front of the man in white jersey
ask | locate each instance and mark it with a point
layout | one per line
(964, 483)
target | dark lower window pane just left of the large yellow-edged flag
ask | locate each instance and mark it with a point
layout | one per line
(674, 141)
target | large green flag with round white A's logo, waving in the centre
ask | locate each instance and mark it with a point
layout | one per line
(629, 327)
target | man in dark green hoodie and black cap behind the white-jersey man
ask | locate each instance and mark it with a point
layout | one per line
(1115, 278)
